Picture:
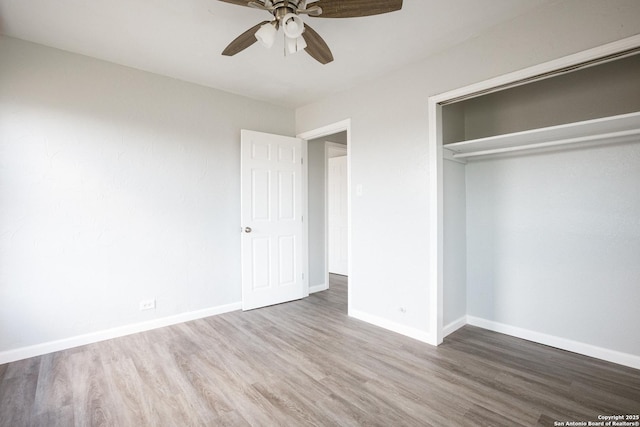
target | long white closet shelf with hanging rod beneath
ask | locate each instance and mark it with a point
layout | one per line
(613, 129)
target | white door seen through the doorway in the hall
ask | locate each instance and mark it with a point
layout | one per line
(338, 224)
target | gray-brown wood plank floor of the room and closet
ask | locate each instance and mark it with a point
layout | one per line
(307, 363)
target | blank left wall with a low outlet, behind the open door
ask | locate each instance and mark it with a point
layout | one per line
(116, 186)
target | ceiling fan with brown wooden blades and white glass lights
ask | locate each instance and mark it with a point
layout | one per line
(299, 35)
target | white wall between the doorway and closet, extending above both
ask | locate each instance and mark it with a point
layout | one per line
(390, 234)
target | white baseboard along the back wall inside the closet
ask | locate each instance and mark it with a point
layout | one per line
(620, 358)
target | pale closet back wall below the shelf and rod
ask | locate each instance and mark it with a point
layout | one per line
(554, 244)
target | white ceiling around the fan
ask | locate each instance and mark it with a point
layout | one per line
(183, 39)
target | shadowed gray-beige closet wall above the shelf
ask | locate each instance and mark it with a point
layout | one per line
(604, 90)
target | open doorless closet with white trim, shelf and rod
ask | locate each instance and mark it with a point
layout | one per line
(535, 193)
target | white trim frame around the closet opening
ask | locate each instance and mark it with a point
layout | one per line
(435, 151)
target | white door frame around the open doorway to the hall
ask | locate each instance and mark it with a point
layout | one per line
(330, 129)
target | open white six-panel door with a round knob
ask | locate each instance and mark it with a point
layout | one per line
(271, 219)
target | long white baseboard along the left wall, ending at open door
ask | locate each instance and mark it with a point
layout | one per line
(64, 344)
